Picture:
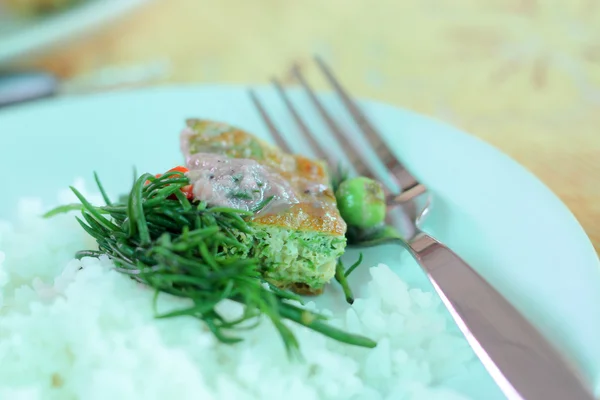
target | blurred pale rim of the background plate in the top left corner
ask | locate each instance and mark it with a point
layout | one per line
(20, 36)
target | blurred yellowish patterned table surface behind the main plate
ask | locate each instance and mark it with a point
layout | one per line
(523, 75)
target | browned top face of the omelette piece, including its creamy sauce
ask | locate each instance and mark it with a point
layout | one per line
(231, 168)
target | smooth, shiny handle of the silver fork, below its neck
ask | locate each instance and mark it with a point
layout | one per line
(521, 361)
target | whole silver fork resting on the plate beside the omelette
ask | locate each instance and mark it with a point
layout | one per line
(520, 360)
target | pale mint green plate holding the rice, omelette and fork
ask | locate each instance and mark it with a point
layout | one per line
(490, 210)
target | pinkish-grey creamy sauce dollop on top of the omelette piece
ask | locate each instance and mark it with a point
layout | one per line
(238, 183)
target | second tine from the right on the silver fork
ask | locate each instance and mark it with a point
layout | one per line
(343, 139)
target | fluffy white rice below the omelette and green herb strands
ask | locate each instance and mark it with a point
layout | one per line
(71, 333)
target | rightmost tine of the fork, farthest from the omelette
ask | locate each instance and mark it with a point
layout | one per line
(398, 172)
